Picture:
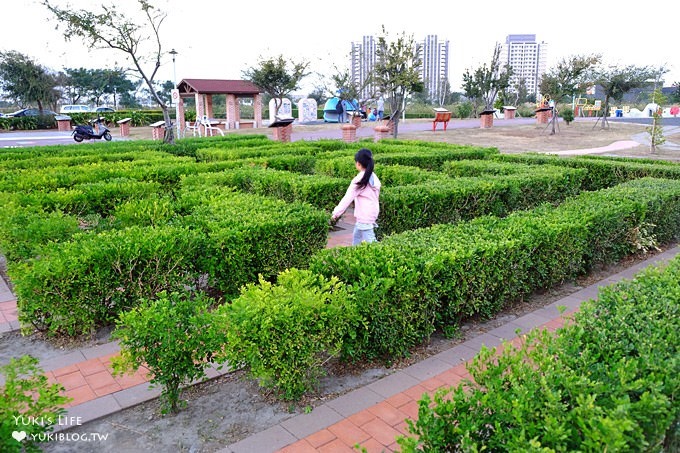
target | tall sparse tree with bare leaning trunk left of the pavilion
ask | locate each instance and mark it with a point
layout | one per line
(109, 28)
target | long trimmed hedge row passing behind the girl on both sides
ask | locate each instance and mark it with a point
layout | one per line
(414, 197)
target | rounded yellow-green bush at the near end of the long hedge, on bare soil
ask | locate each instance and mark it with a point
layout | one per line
(284, 333)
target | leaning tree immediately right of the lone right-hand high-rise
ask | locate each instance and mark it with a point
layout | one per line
(570, 77)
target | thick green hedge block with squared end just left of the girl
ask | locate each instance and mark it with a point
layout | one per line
(247, 235)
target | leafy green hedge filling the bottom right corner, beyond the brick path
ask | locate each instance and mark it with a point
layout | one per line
(608, 381)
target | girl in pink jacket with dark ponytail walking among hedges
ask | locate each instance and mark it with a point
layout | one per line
(364, 191)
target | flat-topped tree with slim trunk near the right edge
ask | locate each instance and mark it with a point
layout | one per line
(617, 81)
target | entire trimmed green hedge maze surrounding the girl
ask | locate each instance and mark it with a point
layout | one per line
(89, 231)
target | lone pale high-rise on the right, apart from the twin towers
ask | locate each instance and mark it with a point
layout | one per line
(527, 57)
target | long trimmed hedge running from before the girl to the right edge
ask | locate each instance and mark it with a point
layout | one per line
(412, 283)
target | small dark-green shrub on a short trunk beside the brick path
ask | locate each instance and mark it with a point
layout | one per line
(174, 336)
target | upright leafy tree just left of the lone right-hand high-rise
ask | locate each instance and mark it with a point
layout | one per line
(487, 81)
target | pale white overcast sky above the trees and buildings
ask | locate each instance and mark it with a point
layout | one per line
(219, 39)
